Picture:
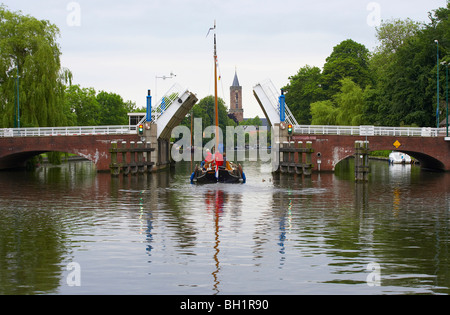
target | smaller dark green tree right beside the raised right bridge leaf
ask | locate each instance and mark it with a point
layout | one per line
(303, 89)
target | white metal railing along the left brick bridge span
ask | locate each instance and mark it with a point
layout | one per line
(67, 131)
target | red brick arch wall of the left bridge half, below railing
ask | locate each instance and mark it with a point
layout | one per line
(15, 151)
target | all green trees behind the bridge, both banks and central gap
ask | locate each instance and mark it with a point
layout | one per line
(394, 85)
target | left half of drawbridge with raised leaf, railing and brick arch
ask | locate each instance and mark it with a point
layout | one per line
(145, 150)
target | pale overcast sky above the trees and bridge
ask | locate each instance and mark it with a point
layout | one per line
(121, 46)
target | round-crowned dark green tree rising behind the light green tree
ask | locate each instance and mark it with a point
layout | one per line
(349, 59)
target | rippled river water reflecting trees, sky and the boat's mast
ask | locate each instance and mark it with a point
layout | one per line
(276, 234)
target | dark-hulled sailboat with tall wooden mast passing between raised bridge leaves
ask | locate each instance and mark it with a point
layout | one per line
(217, 169)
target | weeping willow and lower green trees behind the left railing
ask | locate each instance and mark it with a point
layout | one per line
(29, 48)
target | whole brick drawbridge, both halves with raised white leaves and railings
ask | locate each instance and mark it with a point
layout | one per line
(323, 147)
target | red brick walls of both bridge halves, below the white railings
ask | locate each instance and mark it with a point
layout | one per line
(432, 152)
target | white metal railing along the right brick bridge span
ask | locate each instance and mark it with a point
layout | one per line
(369, 131)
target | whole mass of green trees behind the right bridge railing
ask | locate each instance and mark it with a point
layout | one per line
(394, 86)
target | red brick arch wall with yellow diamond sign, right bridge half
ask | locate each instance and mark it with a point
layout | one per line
(432, 152)
